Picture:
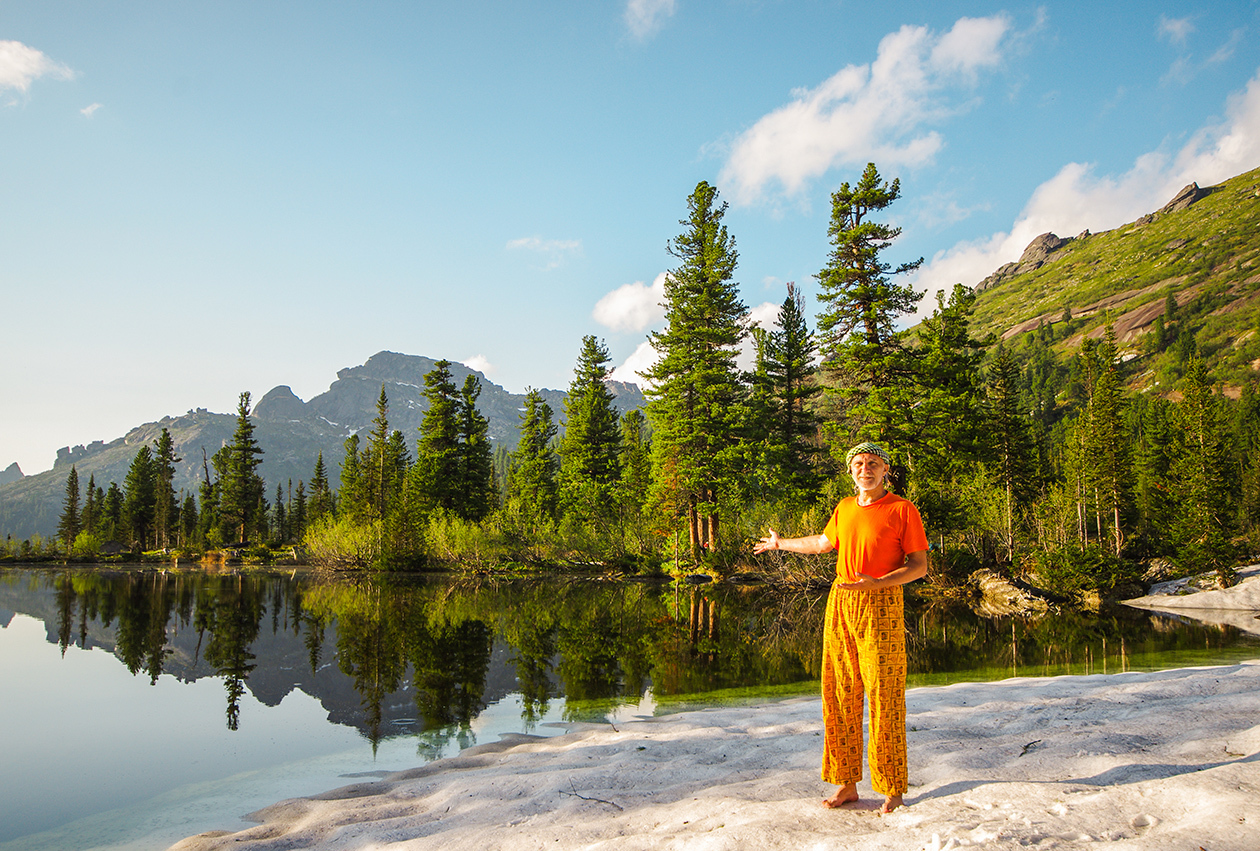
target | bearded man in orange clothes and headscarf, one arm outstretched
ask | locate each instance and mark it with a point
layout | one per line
(880, 545)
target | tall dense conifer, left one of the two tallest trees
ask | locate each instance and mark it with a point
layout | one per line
(695, 390)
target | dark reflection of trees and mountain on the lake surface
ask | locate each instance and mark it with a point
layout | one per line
(425, 656)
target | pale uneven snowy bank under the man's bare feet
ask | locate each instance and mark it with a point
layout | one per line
(1170, 757)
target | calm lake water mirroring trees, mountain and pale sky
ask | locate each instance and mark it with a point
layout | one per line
(143, 707)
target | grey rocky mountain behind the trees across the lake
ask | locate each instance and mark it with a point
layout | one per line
(290, 432)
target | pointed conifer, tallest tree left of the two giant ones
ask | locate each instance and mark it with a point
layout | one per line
(589, 451)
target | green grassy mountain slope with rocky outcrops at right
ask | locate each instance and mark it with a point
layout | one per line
(1203, 248)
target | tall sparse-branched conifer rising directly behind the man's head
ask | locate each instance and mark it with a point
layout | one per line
(864, 355)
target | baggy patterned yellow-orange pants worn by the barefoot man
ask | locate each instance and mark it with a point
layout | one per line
(865, 654)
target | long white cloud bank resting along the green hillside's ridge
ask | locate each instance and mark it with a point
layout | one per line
(1077, 199)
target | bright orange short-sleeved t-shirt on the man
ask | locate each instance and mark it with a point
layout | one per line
(874, 540)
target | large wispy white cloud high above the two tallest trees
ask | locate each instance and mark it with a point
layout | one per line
(866, 113)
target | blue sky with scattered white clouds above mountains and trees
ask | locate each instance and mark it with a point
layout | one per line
(206, 199)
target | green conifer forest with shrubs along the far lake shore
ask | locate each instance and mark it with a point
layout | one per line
(1046, 468)
